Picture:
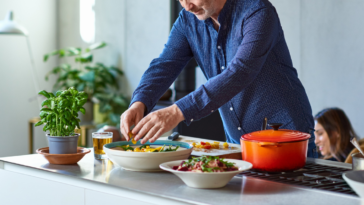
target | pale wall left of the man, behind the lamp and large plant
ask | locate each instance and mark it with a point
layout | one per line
(135, 31)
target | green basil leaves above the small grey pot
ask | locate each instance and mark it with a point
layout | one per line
(59, 112)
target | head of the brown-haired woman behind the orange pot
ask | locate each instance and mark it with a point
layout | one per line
(333, 132)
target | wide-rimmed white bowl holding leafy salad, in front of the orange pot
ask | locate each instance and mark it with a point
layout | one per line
(209, 179)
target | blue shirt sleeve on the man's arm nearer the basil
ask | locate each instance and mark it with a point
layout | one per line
(164, 70)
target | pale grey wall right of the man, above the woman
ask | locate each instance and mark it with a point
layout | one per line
(326, 42)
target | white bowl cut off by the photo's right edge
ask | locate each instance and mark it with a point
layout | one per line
(355, 179)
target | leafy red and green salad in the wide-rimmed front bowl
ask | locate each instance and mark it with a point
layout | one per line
(206, 164)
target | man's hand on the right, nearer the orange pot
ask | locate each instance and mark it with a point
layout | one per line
(157, 123)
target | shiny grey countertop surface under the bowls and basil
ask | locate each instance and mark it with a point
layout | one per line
(240, 190)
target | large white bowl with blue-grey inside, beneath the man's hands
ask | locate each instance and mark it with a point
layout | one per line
(146, 161)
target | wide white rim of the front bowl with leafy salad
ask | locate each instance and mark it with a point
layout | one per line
(163, 166)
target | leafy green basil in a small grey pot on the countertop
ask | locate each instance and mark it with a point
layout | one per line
(59, 114)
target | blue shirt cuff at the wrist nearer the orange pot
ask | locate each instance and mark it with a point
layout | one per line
(188, 109)
